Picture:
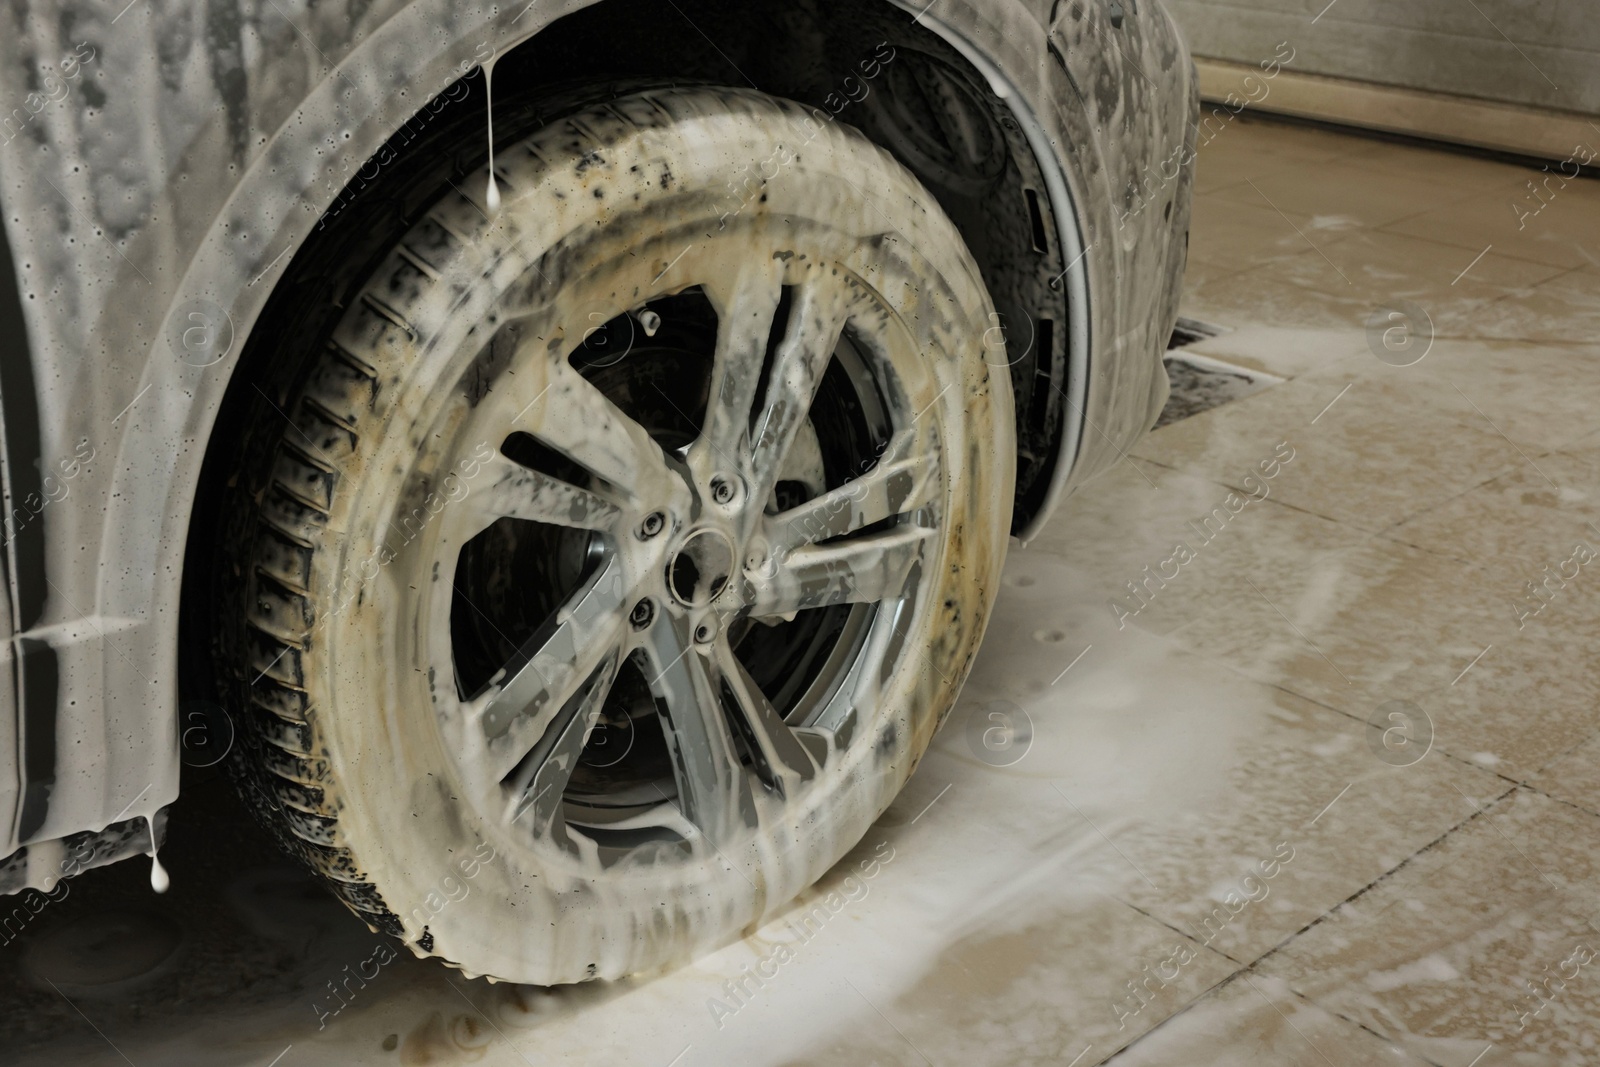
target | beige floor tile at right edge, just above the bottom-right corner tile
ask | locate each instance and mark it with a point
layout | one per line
(1359, 628)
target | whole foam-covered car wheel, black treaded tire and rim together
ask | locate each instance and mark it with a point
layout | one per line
(626, 545)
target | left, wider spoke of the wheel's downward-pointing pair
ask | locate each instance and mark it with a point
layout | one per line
(713, 789)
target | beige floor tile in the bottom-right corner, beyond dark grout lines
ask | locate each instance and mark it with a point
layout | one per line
(1439, 956)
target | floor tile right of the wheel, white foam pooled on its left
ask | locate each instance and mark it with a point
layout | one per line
(1185, 780)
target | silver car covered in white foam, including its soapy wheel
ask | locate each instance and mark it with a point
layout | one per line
(558, 458)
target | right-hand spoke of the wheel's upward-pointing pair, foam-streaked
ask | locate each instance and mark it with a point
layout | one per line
(815, 322)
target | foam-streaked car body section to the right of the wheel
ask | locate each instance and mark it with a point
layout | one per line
(1126, 262)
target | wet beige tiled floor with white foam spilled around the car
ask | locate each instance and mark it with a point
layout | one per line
(1327, 796)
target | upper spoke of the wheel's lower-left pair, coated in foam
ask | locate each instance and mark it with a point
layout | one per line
(550, 669)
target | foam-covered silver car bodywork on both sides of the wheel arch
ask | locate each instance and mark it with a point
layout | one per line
(161, 166)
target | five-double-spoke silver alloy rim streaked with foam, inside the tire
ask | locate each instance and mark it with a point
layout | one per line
(686, 553)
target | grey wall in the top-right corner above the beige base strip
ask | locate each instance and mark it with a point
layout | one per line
(1551, 58)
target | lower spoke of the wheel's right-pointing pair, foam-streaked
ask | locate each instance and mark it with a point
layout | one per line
(860, 570)
